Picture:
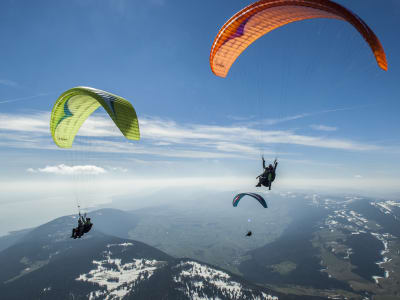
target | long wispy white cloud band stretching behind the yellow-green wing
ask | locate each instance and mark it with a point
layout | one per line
(166, 138)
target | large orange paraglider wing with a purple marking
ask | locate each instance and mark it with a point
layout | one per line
(263, 16)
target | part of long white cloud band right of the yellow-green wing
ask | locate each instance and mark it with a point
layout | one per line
(206, 135)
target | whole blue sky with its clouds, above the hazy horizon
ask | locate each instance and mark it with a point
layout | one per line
(310, 93)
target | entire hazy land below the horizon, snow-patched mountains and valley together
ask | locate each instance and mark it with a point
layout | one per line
(303, 247)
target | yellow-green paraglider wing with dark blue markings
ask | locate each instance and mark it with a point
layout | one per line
(74, 106)
